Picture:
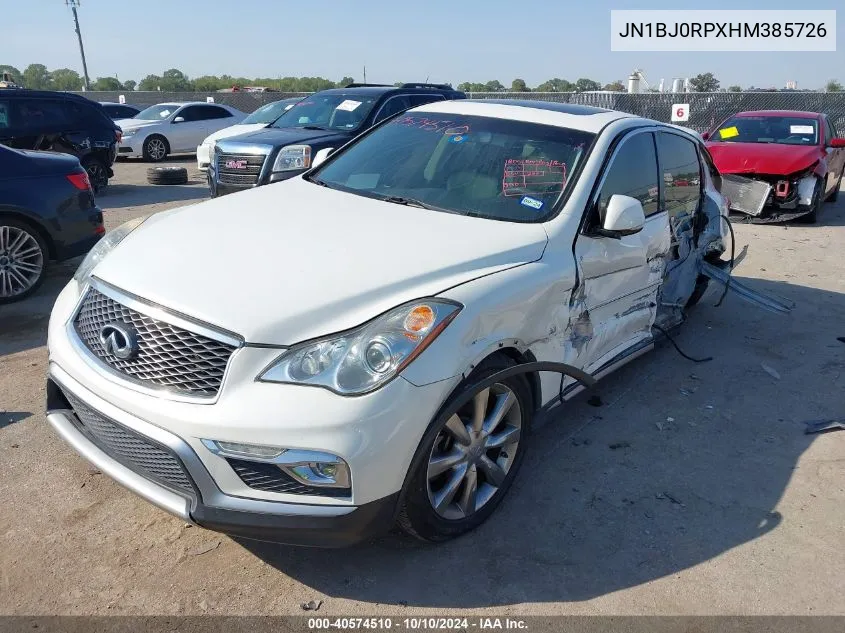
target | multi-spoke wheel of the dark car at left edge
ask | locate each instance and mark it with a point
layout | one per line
(23, 260)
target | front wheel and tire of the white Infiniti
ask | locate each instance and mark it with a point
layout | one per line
(468, 457)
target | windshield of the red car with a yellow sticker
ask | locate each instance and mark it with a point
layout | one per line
(768, 129)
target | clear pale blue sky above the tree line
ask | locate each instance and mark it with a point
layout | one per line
(444, 41)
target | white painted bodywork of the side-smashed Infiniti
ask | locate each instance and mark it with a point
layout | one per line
(293, 261)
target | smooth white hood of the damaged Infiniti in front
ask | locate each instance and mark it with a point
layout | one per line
(292, 261)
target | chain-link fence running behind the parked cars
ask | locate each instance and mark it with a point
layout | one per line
(706, 109)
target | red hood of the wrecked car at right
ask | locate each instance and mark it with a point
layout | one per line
(762, 158)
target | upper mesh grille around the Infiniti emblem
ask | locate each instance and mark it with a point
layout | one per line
(167, 357)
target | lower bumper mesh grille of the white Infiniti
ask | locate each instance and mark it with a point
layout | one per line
(135, 451)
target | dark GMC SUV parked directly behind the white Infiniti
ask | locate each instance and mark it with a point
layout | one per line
(323, 121)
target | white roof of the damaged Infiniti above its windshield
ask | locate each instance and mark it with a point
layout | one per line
(592, 120)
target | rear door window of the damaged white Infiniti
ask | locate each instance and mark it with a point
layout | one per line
(681, 174)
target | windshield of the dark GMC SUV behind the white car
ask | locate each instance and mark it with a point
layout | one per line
(334, 111)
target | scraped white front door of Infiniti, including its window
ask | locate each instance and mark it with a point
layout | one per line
(614, 305)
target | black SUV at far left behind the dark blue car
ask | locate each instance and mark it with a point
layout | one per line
(61, 122)
